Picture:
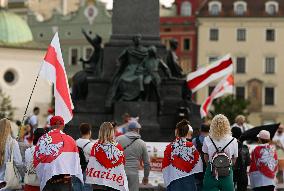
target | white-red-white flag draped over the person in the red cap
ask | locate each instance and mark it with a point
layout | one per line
(56, 153)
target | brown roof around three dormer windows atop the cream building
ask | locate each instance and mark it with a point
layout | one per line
(255, 8)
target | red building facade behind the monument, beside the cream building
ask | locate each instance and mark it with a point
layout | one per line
(179, 22)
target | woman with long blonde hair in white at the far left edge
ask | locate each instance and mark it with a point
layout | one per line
(6, 144)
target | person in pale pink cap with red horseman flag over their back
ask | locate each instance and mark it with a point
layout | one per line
(264, 164)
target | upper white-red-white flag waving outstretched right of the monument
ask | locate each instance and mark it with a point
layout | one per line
(203, 76)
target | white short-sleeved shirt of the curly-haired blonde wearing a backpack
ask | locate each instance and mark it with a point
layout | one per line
(231, 150)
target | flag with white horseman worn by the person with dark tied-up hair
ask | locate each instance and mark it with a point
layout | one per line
(181, 159)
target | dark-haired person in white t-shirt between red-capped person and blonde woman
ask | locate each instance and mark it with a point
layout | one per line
(85, 144)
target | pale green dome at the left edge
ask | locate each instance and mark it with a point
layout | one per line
(13, 29)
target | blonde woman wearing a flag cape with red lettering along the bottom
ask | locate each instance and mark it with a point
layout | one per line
(105, 170)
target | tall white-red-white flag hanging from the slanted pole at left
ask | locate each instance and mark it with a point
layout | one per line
(53, 70)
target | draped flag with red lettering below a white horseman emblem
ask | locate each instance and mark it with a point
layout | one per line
(106, 166)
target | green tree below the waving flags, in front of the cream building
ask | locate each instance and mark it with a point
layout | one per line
(230, 107)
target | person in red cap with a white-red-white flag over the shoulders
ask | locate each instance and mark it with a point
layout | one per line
(56, 158)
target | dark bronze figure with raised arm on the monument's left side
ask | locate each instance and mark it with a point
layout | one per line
(94, 63)
